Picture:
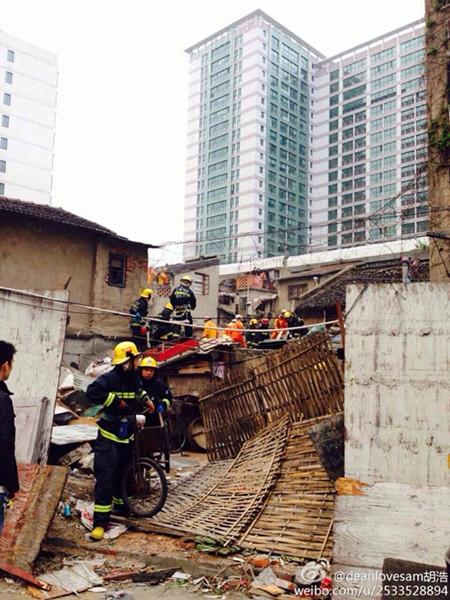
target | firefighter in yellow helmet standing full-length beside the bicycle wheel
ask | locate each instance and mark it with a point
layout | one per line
(121, 394)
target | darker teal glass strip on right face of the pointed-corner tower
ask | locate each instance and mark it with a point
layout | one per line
(287, 146)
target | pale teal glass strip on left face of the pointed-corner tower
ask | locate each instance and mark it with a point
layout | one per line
(218, 147)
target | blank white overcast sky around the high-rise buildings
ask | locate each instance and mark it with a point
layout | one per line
(121, 118)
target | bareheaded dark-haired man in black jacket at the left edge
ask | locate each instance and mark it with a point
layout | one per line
(9, 479)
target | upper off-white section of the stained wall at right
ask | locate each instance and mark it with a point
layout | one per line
(397, 384)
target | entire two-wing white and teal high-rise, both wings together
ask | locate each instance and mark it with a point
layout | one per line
(289, 151)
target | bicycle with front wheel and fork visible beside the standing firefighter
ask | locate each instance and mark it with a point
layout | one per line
(144, 483)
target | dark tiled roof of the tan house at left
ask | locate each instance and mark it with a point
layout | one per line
(44, 212)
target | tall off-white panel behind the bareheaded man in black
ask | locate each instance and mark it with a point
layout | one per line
(35, 322)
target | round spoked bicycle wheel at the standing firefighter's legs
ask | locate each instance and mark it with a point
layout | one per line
(144, 487)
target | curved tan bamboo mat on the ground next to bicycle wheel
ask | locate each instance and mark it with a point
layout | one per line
(222, 499)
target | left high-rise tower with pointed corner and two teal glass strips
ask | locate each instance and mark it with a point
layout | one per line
(248, 141)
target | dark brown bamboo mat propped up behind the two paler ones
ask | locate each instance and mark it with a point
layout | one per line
(302, 380)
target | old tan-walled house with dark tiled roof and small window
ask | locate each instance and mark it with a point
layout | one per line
(48, 248)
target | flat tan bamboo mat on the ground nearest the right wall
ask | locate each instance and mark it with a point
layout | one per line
(297, 517)
